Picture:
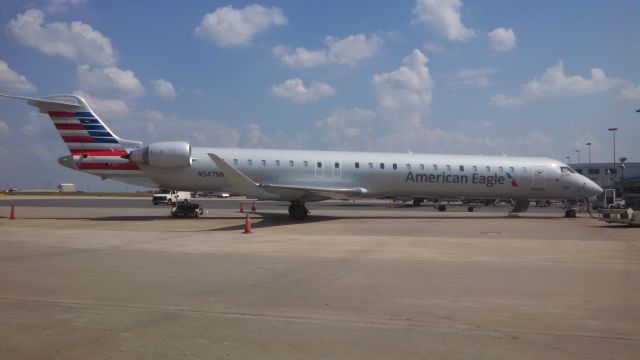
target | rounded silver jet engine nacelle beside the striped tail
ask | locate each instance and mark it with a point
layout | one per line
(169, 154)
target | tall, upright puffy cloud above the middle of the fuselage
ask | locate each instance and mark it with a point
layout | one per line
(405, 93)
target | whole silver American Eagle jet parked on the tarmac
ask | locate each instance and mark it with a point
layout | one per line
(300, 176)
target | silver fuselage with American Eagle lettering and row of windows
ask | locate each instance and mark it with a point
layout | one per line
(381, 174)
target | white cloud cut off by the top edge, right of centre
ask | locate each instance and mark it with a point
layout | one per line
(444, 17)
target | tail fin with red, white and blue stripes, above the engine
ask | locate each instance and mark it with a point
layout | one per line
(80, 128)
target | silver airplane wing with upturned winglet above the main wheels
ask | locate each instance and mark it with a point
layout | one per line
(241, 183)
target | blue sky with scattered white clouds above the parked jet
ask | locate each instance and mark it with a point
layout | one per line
(442, 76)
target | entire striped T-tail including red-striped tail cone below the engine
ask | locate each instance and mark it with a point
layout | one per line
(93, 146)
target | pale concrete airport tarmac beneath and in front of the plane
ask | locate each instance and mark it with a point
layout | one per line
(355, 281)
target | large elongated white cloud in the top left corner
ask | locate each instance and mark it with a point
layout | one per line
(76, 40)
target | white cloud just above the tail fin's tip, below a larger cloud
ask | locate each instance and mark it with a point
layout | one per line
(109, 81)
